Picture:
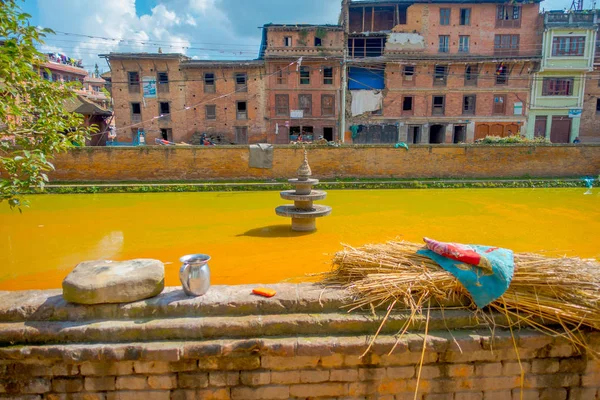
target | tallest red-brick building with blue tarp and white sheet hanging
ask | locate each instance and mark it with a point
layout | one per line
(447, 72)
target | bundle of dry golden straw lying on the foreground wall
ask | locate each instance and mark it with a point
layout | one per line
(553, 295)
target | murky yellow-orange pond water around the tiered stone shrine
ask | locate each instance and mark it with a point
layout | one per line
(250, 244)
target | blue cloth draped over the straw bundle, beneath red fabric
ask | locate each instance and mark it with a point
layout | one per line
(483, 287)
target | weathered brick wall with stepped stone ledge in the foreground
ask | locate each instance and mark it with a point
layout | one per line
(464, 363)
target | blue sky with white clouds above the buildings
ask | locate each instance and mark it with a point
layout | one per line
(222, 29)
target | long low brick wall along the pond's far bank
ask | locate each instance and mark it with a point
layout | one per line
(439, 161)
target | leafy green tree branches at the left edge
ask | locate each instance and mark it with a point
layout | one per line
(34, 124)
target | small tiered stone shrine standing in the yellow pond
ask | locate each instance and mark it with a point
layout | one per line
(303, 212)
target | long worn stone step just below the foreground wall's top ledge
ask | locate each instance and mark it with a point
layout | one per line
(206, 328)
